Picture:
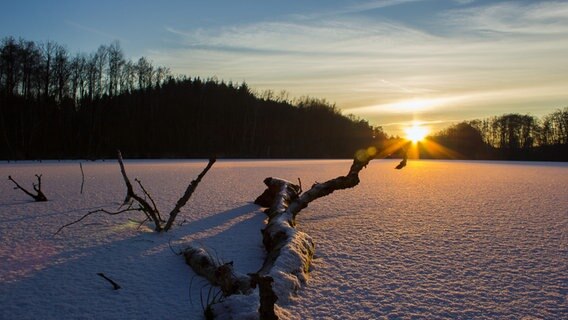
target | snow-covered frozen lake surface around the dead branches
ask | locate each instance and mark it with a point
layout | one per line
(438, 239)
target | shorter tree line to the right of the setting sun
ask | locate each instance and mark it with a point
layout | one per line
(506, 137)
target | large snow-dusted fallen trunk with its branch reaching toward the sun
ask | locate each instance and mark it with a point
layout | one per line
(289, 251)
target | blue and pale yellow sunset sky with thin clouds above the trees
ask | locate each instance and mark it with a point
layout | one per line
(390, 62)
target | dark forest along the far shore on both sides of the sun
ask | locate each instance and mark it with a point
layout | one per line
(56, 105)
